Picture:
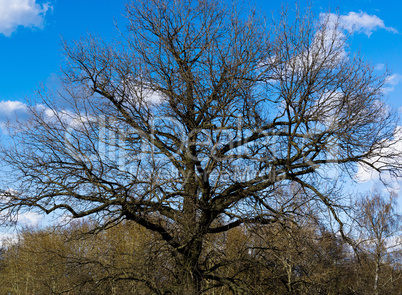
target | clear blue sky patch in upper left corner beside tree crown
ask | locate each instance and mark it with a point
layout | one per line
(30, 50)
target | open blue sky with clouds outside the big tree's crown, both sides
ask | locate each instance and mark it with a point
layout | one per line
(31, 32)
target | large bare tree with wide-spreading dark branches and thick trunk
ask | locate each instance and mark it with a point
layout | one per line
(191, 120)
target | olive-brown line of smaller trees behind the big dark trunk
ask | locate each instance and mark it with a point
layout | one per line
(289, 257)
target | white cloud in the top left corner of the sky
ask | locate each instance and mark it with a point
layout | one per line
(26, 13)
